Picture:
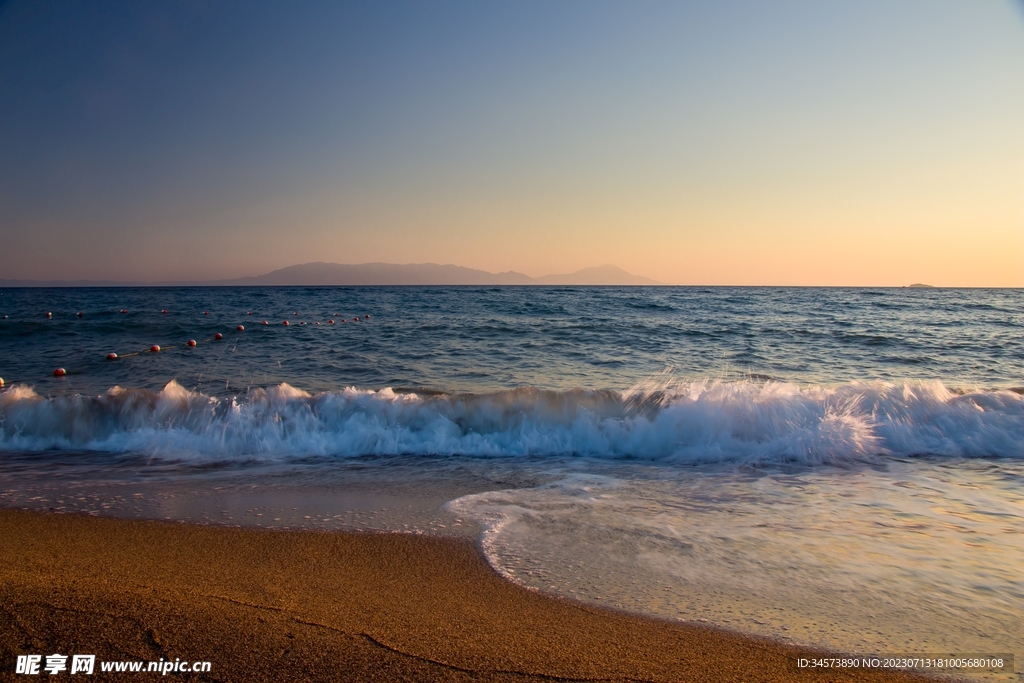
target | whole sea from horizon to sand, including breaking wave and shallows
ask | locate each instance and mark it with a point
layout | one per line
(842, 468)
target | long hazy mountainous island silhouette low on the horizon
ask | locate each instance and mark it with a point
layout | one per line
(321, 274)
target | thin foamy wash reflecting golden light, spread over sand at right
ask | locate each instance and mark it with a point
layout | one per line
(913, 556)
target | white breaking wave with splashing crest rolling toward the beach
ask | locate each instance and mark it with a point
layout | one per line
(690, 422)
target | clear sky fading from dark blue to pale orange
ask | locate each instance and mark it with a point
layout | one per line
(791, 143)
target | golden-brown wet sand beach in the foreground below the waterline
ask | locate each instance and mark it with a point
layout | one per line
(265, 606)
